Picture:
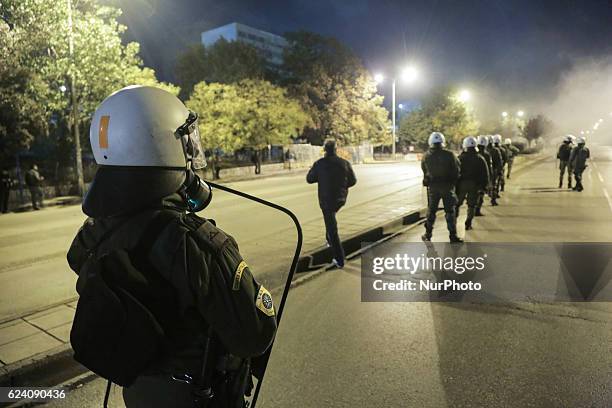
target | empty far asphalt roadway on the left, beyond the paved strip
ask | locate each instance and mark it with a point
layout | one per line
(34, 273)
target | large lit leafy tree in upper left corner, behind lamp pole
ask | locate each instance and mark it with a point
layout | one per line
(36, 34)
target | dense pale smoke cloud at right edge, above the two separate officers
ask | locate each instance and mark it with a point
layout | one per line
(583, 101)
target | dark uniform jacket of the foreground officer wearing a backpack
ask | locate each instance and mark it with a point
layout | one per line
(184, 285)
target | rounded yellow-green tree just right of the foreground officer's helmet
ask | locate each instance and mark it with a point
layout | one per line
(250, 113)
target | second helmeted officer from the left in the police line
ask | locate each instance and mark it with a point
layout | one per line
(474, 177)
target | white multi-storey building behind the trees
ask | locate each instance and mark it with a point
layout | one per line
(270, 45)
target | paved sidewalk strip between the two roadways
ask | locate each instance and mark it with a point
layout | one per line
(31, 339)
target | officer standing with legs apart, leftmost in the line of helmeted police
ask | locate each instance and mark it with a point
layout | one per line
(440, 175)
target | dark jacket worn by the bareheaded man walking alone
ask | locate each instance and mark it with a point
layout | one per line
(334, 176)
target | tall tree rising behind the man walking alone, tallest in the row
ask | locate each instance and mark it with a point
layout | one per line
(335, 89)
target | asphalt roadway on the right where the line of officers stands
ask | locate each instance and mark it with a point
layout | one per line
(333, 350)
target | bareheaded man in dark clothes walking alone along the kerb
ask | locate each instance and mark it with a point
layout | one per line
(335, 176)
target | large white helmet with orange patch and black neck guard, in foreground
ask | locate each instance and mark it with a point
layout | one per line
(147, 144)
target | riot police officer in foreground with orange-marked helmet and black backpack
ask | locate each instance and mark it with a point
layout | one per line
(178, 275)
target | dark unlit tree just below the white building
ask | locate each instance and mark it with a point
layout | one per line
(225, 62)
